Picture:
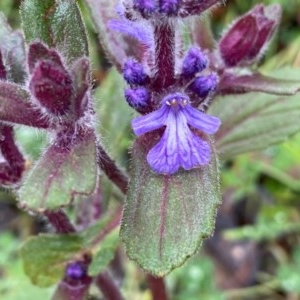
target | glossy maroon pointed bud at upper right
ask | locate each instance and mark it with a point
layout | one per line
(249, 35)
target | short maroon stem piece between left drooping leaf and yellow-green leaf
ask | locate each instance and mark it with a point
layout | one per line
(60, 221)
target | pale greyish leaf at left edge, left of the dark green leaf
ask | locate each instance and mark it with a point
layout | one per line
(13, 51)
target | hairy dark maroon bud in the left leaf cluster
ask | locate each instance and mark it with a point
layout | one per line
(51, 85)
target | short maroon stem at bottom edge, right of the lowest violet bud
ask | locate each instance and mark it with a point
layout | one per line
(108, 287)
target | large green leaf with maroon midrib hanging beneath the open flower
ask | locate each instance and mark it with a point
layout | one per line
(167, 217)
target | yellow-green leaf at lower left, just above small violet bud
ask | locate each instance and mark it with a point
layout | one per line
(46, 256)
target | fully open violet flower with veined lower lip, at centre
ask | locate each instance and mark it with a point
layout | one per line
(179, 146)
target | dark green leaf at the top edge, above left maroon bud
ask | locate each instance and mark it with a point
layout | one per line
(58, 24)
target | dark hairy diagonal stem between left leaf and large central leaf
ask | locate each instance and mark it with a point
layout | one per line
(111, 170)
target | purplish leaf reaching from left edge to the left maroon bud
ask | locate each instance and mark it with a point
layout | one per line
(16, 108)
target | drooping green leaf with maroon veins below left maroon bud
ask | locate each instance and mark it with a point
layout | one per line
(59, 175)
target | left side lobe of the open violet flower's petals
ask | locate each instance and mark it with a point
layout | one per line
(150, 122)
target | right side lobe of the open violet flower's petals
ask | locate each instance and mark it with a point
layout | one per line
(200, 120)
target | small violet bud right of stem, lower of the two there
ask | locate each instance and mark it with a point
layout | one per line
(203, 85)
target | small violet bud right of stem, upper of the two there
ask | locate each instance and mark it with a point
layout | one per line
(195, 61)
